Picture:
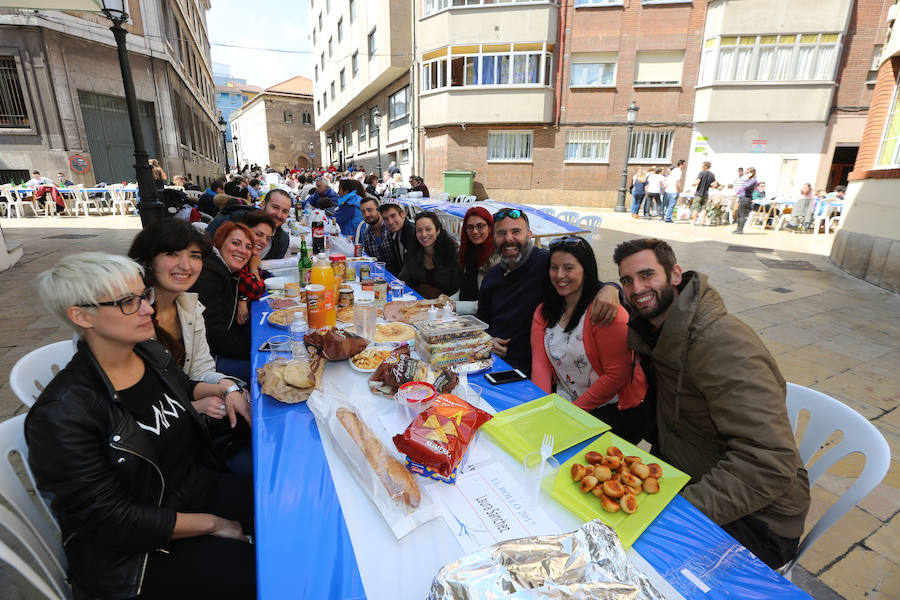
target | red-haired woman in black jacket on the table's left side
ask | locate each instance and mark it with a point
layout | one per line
(217, 287)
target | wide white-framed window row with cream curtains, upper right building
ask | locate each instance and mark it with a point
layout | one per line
(712, 71)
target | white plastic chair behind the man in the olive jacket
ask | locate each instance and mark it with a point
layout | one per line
(827, 415)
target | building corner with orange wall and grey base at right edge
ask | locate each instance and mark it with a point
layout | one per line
(868, 242)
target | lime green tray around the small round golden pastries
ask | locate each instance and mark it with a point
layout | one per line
(587, 506)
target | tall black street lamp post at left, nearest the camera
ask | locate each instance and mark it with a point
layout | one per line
(149, 208)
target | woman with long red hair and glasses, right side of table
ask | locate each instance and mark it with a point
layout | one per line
(476, 256)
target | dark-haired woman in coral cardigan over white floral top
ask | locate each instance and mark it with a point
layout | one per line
(591, 366)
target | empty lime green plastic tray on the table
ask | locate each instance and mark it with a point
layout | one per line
(519, 430)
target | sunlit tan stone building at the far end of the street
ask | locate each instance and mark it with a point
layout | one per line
(276, 128)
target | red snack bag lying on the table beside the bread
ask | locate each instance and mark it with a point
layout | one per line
(439, 436)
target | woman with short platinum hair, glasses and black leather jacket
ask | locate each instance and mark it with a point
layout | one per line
(146, 508)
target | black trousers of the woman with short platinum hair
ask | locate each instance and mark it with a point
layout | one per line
(206, 566)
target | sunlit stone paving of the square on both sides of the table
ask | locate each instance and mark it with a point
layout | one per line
(828, 331)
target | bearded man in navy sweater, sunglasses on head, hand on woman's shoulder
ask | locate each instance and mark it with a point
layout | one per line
(511, 290)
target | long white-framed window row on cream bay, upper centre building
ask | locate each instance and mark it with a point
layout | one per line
(494, 64)
